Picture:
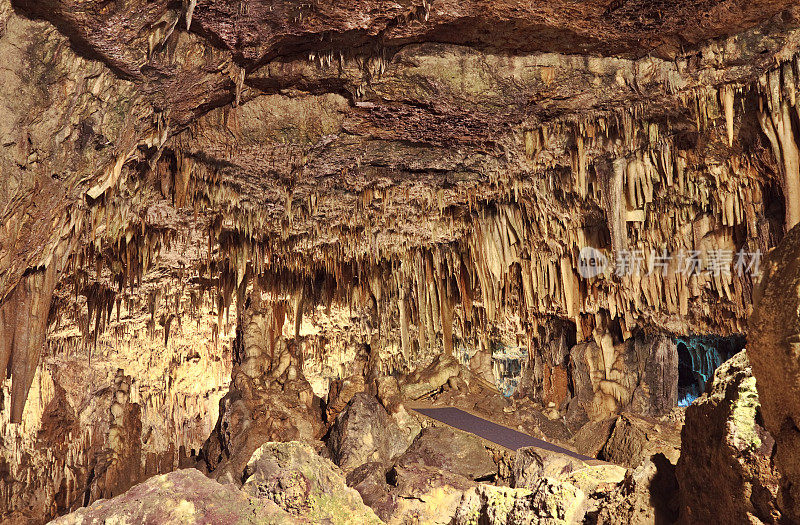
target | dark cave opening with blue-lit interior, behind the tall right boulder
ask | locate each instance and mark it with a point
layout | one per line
(698, 358)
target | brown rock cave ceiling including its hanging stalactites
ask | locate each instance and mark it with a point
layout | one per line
(473, 146)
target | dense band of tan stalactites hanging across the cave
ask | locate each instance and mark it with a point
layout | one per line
(521, 255)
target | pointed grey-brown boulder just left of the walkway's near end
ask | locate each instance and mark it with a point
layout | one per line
(364, 432)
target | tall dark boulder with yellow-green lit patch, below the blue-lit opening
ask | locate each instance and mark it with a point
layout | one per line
(726, 471)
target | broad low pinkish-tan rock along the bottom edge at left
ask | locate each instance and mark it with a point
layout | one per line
(181, 497)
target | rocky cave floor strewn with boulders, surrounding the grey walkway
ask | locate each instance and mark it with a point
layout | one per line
(380, 461)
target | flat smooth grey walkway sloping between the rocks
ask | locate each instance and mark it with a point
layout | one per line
(498, 434)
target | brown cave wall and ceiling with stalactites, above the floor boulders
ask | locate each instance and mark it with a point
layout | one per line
(385, 184)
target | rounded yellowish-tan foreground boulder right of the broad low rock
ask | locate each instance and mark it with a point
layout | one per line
(299, 481)
